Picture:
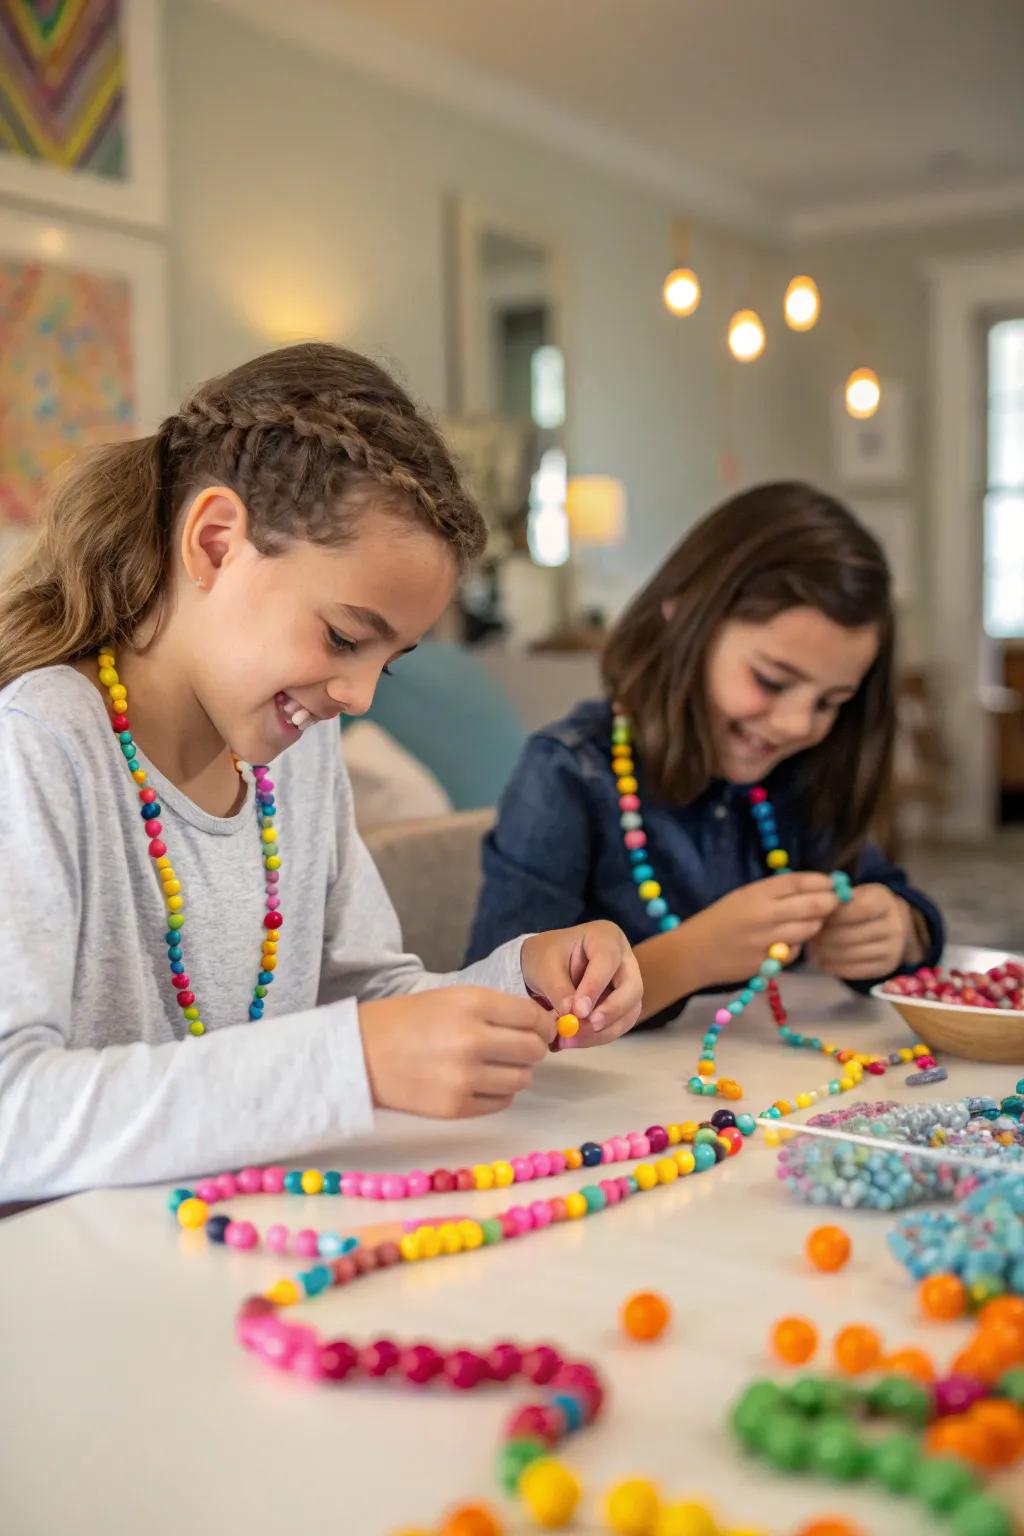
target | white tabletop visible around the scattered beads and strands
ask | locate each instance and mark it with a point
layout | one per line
(127, 1405)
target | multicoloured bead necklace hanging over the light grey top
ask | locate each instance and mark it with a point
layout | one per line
(171, 886)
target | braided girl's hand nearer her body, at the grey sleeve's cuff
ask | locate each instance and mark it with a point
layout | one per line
(452, 1053)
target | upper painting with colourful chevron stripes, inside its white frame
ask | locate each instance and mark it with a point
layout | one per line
(62, 84)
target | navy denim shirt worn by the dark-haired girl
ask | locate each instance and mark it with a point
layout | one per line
(558, 858)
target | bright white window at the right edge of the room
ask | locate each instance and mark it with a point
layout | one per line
(1005, 483)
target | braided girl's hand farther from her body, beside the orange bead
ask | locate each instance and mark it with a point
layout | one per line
(589, 972)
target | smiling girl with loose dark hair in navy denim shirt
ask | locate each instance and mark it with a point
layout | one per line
(759, 655)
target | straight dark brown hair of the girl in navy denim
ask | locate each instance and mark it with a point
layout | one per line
(775, 548)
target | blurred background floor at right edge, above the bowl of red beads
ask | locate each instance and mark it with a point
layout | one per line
(980, 890)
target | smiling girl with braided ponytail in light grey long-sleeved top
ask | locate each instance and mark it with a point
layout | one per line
(200, 606)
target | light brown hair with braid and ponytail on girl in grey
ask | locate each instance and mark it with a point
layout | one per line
(308, 437)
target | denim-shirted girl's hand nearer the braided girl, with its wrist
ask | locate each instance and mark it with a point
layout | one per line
(733, 936)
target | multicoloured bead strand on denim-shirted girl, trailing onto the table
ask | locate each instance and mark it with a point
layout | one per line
(650, 892)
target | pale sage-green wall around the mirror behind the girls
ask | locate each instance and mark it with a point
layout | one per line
(308, 199)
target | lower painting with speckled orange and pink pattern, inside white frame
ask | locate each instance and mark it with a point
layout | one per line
(67, 374)
